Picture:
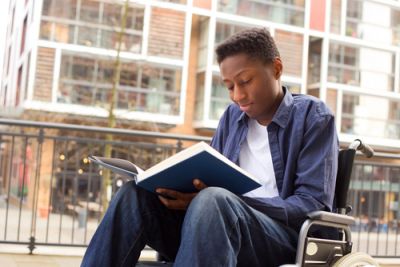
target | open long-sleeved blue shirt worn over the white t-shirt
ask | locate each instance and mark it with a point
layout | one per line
(304, 149)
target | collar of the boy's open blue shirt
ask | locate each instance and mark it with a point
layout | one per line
(281, 116)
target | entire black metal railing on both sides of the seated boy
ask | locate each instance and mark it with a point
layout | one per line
(51, 195)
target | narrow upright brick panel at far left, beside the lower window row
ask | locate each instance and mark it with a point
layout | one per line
(44, 74)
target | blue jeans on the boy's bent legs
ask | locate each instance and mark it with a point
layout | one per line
(218, 229)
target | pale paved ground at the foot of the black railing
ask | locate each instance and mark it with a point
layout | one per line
(66, 229)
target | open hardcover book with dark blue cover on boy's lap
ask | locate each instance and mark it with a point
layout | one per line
(177, 172)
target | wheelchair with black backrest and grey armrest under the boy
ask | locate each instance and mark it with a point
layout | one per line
(322, 252)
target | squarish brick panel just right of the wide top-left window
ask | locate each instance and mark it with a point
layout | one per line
(166, 37)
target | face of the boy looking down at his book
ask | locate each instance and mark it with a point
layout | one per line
(253, 86)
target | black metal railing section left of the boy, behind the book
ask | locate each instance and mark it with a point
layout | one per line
(49, 193)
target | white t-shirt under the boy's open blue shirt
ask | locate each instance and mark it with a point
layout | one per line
(255, 158)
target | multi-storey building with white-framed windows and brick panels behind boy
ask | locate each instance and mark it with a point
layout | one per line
(59, 61)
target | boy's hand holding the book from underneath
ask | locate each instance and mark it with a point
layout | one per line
(176, 200)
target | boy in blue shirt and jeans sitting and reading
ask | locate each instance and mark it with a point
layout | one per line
(287, 141)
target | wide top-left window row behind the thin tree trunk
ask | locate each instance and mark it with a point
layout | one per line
(95, 23)
